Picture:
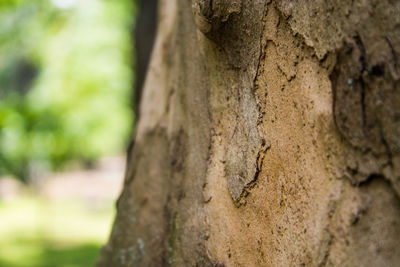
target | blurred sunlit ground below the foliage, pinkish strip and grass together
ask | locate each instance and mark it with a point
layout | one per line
(64, 223)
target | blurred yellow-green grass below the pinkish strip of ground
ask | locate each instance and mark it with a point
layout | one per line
(35, 232)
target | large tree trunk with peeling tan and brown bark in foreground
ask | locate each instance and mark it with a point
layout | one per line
(268, 136)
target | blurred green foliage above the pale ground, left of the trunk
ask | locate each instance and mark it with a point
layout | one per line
(65, 82)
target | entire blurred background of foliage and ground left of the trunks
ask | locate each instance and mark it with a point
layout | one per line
(66, 75)
